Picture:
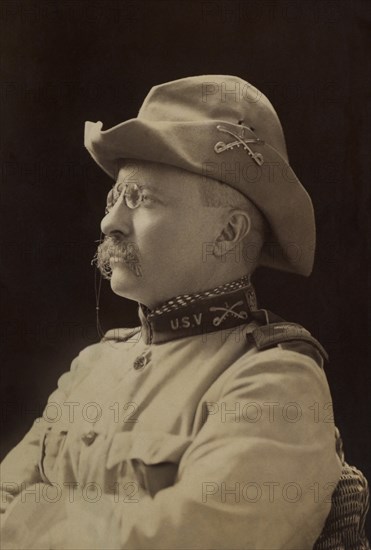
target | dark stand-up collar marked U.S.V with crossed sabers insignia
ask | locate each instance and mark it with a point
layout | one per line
(221, 308)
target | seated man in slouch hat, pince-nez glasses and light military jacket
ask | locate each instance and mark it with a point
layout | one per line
(204, 427)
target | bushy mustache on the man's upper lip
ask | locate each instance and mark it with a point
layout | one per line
(112, 247)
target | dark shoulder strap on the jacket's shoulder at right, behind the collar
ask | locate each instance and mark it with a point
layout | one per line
(289, 336)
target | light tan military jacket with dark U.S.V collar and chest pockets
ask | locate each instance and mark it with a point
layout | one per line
(176, 436)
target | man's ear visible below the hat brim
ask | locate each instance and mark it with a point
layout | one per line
(236, 228)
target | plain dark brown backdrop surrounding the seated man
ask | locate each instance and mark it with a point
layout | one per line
(67, 62)
